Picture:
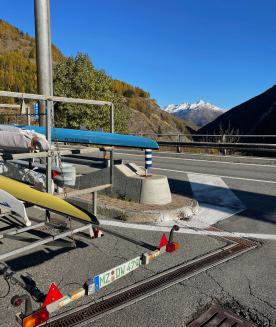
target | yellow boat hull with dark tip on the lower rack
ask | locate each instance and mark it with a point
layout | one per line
(25, 193)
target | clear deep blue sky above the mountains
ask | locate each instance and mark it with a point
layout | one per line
(221, 51)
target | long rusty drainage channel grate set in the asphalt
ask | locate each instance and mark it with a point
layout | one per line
(83, 315)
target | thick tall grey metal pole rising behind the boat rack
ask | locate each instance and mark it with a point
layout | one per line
(43, 53)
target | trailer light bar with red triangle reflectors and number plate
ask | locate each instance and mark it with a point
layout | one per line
(54, 300)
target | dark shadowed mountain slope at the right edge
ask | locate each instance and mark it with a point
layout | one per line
(256, 116)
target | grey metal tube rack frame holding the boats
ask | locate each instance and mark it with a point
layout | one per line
(65, 150)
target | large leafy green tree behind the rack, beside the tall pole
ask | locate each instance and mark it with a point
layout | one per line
(76, 77)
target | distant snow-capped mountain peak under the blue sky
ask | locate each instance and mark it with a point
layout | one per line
(200, 113)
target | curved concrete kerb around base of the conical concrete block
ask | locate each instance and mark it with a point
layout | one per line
(141, 216)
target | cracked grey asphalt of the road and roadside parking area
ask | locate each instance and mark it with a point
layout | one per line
(245, 284)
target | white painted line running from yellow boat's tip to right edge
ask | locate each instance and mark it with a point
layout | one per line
(164, 229)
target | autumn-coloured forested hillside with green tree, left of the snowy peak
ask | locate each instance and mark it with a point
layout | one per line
(76, 76)
